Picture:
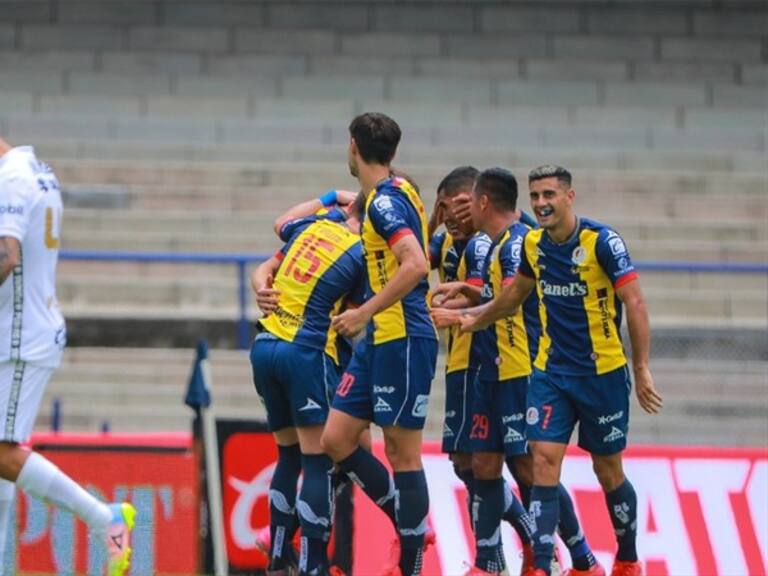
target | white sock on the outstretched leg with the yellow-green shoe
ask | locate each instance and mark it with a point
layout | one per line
(43, 480)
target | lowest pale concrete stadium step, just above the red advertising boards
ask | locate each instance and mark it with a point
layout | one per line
(706, 402)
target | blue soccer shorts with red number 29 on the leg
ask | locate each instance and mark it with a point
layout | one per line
(498, 416)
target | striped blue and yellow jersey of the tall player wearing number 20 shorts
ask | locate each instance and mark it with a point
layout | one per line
(393, 210)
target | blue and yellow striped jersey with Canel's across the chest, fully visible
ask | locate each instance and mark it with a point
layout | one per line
(580, 312)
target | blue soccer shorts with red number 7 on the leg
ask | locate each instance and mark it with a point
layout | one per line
(599, 404)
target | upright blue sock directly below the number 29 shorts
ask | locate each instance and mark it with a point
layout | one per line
(488, 506)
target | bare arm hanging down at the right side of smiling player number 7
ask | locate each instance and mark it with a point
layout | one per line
(640, 336)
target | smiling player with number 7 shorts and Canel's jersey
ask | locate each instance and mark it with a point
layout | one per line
(583, 274)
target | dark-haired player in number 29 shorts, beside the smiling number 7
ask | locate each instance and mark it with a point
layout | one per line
(493, 210)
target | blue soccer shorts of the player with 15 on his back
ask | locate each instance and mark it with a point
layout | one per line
(295, 382)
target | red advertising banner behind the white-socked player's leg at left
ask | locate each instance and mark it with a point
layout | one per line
(157, 473)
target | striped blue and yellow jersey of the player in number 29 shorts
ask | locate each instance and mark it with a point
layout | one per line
(506, 347)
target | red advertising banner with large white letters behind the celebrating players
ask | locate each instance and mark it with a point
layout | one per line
(701, 511)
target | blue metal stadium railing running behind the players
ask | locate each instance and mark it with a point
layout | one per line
(242, 261)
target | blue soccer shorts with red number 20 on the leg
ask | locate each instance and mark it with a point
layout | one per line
(389, 383)
